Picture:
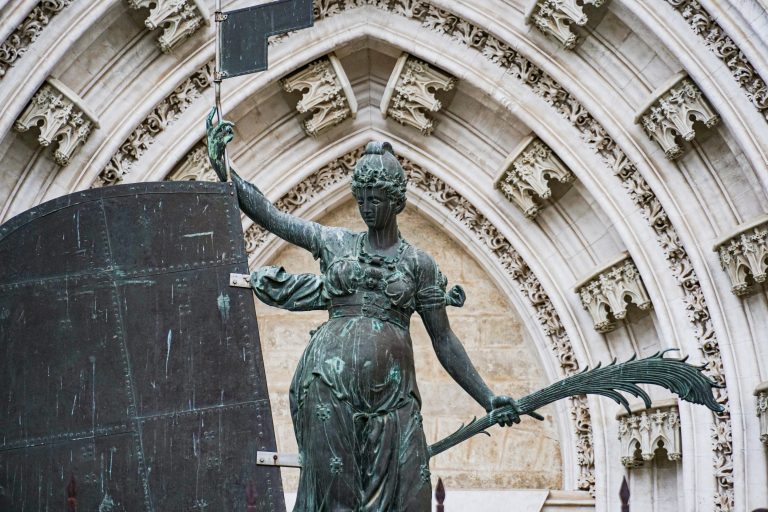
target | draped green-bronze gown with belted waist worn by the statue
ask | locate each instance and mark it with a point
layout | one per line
(354, 401)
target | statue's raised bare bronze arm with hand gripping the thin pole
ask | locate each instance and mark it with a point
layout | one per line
(252, 201)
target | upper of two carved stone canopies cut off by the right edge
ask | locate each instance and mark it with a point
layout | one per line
(744, 255)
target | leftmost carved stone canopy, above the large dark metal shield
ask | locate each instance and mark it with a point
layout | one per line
(61, 116)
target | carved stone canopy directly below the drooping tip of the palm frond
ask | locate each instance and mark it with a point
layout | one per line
(644, 430)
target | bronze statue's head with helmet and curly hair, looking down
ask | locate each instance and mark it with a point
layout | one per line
(379, 176)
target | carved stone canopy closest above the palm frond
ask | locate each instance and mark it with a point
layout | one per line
(607, 292)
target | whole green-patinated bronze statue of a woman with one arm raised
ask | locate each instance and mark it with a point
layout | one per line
(354, 401)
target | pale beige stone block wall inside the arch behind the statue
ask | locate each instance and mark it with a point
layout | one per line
(527, 456)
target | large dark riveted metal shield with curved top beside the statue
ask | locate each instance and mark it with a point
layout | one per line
(130, 370)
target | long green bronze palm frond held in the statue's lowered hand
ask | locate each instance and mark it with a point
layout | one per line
(686, 380)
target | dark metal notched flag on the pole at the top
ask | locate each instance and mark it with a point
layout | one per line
(244, 33)
